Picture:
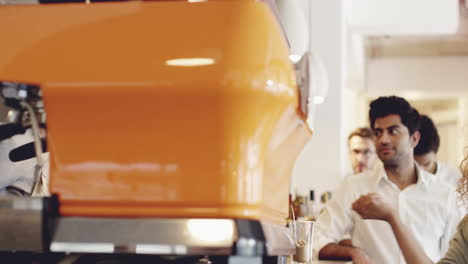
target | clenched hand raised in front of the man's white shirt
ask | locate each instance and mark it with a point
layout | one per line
(372, 206)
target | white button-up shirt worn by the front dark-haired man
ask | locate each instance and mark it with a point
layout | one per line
(428, 208)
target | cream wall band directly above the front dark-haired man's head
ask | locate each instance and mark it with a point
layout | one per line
(427, 76)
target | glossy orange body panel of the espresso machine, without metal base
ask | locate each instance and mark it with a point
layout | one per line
(132, 135)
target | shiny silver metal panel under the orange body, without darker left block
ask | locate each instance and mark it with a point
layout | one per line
(164, 236)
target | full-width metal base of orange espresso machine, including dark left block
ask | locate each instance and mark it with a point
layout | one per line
(161, 240)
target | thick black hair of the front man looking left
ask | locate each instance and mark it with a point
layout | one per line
(388, 105)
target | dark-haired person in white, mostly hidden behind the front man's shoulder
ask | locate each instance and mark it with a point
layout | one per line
(425, 154)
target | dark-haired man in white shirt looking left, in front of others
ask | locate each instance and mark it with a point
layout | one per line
(428, 208)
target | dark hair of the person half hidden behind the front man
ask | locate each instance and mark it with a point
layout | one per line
(430, 139)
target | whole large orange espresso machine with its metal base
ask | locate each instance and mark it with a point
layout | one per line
(172, 127)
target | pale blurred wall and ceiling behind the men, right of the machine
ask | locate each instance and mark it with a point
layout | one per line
(414, 49)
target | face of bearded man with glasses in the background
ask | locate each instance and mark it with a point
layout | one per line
(361, 149)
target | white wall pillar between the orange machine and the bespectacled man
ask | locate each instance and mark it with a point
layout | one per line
(321, 165)
